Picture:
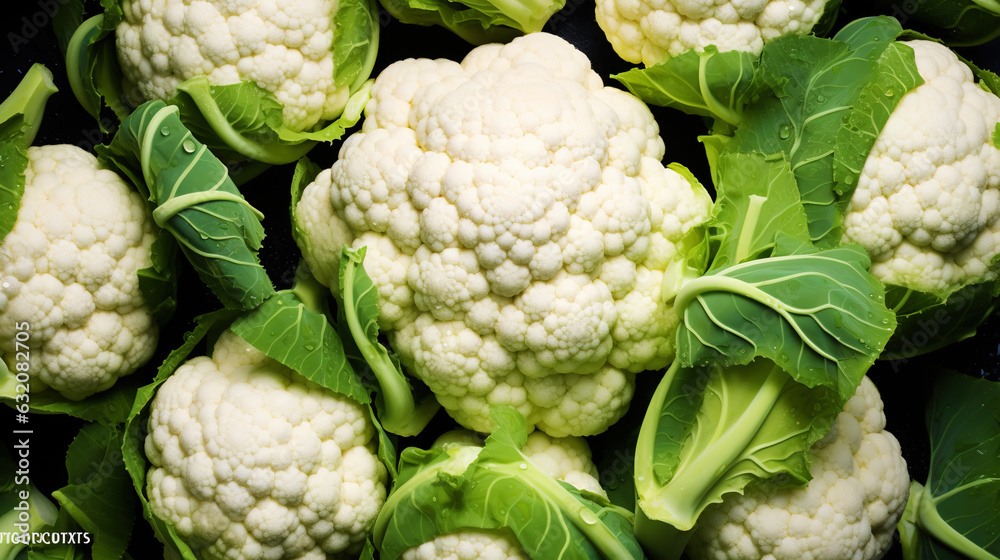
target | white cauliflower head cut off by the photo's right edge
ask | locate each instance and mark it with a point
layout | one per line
(927, 203)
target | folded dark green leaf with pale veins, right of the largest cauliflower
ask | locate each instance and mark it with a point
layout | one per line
(820, 316)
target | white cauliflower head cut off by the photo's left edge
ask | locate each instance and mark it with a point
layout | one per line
(69, 269)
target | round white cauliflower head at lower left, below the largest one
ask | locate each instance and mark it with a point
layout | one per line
(250, 461)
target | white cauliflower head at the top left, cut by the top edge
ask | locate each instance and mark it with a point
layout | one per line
(284, 47)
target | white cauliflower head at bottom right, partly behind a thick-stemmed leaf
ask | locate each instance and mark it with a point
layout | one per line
(848, 510)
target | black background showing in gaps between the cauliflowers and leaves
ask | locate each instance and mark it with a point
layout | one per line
(27, 37)
